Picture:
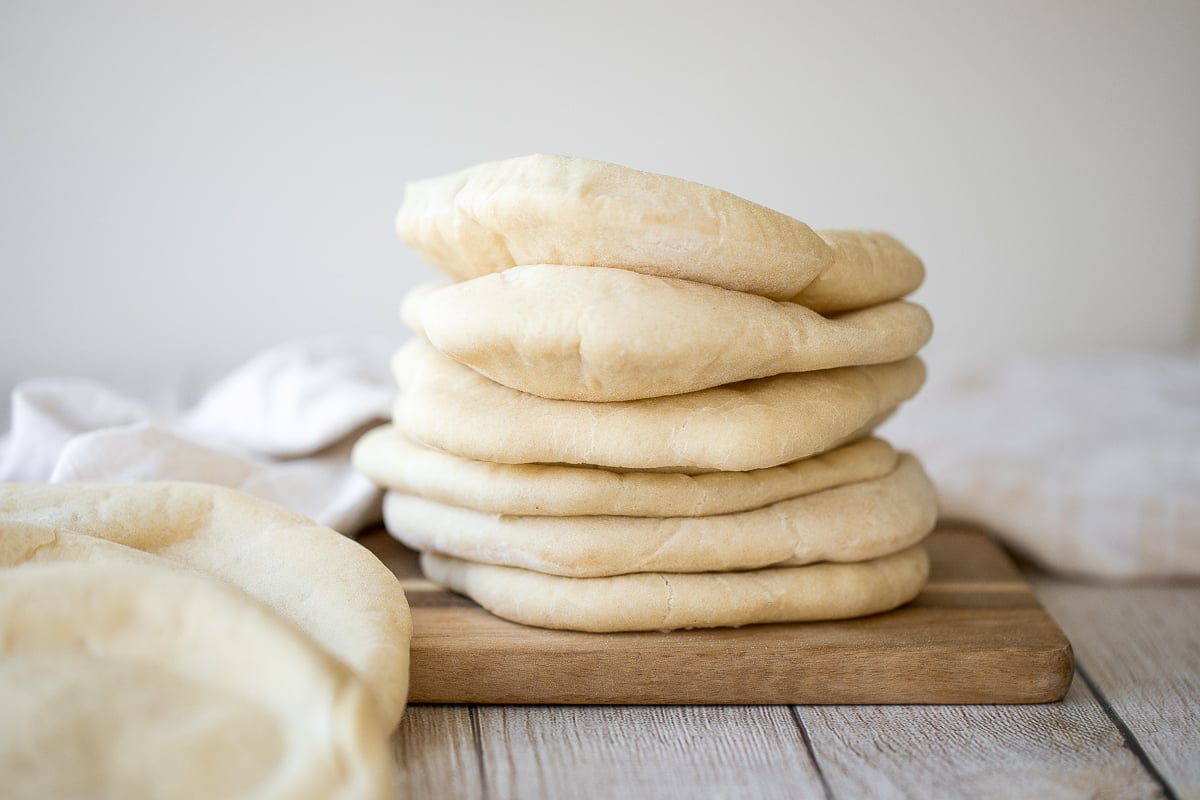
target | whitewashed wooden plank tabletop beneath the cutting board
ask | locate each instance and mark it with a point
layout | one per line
(1130, 727)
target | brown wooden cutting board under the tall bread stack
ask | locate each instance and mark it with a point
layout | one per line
(975, 635)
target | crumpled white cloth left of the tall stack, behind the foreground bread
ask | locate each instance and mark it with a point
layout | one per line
(279, 428)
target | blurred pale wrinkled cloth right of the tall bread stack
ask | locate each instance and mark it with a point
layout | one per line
(1087, 465)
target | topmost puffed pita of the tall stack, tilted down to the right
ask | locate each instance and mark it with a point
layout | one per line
(559, 210)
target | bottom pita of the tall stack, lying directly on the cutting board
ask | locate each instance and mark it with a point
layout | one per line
(653, 601)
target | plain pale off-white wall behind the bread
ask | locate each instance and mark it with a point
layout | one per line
(185, 184)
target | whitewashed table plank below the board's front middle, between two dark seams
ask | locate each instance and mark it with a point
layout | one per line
(651, 753)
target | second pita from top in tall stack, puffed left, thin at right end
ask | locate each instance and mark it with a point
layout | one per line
(599, 335)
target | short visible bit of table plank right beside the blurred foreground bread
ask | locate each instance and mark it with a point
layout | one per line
(437, 754)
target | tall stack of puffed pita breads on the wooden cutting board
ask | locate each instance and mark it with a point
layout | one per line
(647, 405)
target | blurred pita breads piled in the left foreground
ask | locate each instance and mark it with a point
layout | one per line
(188, 641)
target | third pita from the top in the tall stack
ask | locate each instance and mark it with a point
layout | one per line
(746, 426)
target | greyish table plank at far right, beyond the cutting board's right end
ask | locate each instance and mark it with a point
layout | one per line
(1141, 649)
